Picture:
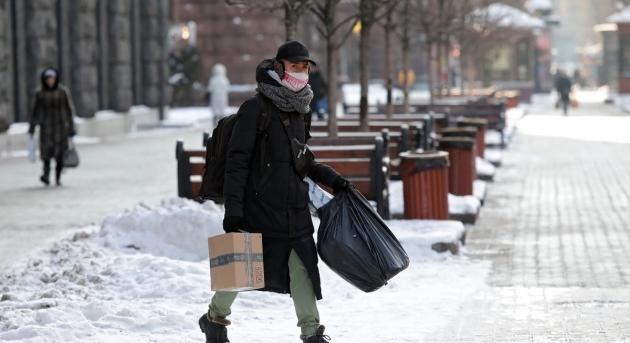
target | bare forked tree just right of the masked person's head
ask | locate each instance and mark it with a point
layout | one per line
(335, 32)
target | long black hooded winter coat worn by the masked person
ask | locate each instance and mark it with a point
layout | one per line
(262, 186)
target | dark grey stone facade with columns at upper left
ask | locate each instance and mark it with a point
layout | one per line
(110, 53)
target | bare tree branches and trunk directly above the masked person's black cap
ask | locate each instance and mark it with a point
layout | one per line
(292, 11)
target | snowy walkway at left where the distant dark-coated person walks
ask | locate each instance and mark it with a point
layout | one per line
(113, 176)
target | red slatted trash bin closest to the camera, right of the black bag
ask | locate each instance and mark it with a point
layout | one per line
(425, 184)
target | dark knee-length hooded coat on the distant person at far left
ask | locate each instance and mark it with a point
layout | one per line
(53, 111)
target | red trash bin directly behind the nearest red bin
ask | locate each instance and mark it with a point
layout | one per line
(462, 171)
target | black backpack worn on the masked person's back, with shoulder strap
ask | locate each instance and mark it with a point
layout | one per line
(216, 153)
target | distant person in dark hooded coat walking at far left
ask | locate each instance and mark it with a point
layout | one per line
(53, 112)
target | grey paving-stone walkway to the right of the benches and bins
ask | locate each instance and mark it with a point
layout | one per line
(556, 227)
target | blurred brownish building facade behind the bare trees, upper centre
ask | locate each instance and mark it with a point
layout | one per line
(241, 37)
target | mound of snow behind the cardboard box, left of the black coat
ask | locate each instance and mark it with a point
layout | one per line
(177, 228)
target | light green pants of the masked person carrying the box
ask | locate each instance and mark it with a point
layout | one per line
(302, 293)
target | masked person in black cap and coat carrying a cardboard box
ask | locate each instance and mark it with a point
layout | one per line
(265, 193)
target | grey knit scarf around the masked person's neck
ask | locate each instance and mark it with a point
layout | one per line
(287, 100)
